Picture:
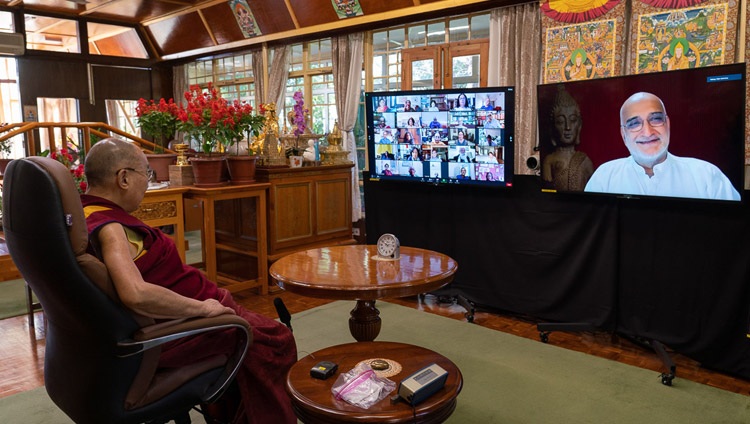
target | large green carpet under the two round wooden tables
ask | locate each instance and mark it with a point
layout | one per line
(507, 379)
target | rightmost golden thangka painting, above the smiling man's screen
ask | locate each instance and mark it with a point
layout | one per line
(670, 39)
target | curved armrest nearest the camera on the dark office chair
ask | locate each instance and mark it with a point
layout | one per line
(158, 334)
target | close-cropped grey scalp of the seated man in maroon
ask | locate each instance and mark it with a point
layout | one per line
(106, 157)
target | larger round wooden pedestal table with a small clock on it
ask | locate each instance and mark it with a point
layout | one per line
(355, 272)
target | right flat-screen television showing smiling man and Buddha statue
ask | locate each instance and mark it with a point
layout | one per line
(681, 134)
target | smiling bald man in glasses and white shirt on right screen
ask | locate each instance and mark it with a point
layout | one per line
(651, 169)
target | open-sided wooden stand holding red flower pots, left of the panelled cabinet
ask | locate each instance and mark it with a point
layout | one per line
(234, 235)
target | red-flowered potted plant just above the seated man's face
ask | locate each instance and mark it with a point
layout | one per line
(159, 120)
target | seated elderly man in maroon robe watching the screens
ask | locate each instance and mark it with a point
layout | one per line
(151, 279)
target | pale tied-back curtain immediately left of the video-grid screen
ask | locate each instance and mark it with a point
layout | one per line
(347, 51)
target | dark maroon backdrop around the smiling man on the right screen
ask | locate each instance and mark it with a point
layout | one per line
(705, 106)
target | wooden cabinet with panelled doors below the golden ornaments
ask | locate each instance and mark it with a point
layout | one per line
(307, 207)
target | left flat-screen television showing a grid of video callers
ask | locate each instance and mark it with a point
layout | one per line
(453, 136)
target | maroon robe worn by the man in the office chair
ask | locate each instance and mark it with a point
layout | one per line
(262, 377)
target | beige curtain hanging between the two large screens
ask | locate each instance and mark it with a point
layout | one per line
(515, 51)
